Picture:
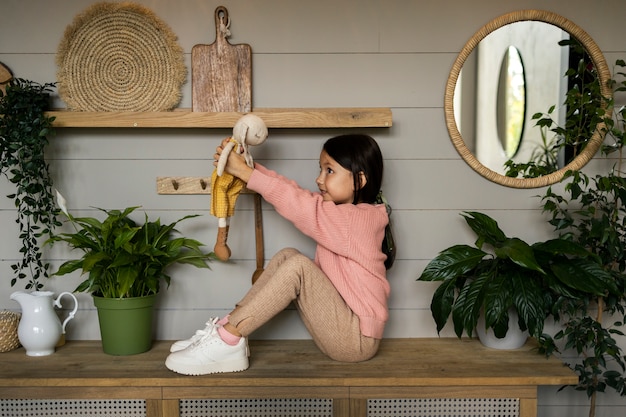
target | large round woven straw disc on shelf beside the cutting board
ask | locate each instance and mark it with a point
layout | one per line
(120, 57)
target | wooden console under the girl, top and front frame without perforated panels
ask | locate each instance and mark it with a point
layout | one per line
(404, 368)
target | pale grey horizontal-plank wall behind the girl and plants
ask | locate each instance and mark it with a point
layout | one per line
(323, 53)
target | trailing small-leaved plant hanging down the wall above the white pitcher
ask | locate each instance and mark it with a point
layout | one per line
(24, 132)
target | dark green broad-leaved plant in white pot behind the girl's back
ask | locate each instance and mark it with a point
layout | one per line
(501, 277)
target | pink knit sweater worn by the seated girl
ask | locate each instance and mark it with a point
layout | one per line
(349, 239)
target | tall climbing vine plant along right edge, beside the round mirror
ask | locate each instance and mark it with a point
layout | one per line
(591, 210)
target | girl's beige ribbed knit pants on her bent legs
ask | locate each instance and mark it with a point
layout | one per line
(292, 277)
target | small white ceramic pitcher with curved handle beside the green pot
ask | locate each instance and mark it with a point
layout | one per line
(40, 328)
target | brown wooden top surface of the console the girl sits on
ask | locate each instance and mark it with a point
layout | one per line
(289, 363)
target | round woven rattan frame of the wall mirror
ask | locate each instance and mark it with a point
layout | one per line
(604, 76)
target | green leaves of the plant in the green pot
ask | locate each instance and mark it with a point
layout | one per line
(123, 258)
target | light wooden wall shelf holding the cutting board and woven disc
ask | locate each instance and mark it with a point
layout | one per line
(185, 118)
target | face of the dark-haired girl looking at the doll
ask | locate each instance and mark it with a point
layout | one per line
(335, 182)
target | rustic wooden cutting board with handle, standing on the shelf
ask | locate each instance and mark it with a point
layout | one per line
(221, 73)
